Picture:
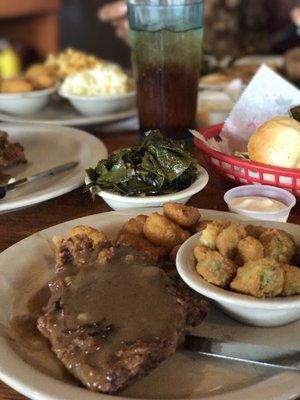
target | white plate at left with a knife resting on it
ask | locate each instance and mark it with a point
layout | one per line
(46, 147)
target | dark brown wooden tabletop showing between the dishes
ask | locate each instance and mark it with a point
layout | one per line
(19, 224)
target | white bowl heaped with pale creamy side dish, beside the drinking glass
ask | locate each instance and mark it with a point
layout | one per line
(104, 89)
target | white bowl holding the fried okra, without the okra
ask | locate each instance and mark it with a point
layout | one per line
(250, 310)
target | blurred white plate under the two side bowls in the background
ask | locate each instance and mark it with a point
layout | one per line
(60, 112)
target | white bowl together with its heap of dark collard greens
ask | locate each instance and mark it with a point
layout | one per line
(157, 171)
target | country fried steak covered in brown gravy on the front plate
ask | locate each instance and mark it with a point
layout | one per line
(113, 316)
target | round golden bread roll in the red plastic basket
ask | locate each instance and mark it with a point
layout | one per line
(276, 142)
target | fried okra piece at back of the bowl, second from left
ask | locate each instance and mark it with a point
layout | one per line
(227, 241)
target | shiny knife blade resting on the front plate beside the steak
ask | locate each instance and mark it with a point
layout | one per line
(259, 355)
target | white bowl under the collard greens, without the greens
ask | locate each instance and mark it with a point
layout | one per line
(118, 202)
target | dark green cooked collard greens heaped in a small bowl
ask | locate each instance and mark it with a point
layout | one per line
(157, 166)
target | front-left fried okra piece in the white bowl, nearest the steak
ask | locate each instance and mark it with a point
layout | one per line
(214, 267)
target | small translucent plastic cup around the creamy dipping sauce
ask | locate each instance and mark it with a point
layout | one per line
(271, 192)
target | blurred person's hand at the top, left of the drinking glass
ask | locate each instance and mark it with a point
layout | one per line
(116, 14)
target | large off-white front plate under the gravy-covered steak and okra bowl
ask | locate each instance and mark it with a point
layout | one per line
(27, 266)
